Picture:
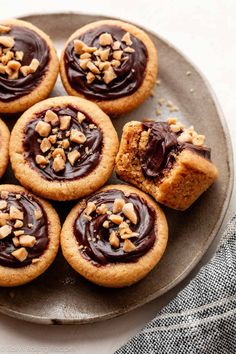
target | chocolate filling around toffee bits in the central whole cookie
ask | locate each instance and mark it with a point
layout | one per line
(90, 151)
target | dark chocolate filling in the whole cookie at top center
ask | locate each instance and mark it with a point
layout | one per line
(129, 75)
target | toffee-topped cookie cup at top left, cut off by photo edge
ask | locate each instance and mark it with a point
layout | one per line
(28, 65)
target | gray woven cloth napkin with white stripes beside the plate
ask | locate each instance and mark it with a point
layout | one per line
(202, 318)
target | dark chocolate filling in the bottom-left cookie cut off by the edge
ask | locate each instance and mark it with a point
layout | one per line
(32, 225)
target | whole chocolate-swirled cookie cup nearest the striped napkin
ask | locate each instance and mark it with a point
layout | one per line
(115, 237)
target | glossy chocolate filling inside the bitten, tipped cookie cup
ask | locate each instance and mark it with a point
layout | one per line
(162, 149)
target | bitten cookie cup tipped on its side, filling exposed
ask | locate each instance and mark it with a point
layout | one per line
(166, 160)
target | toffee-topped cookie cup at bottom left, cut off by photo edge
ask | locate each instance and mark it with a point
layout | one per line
(29, 235)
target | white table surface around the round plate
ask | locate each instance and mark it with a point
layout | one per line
(205, 30)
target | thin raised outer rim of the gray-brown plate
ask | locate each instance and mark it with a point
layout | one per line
(214, 231)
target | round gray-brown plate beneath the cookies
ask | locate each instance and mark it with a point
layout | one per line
(62, 296)
